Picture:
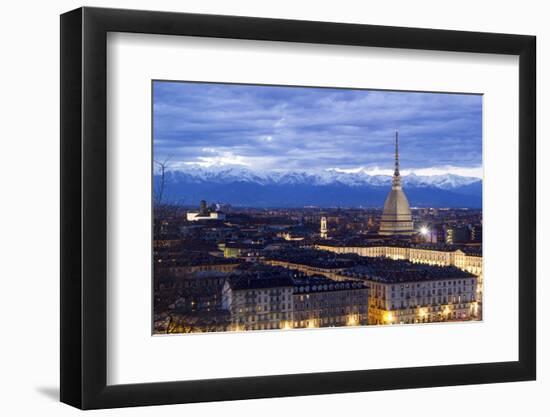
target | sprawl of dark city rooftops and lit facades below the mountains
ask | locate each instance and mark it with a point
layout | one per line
(277, 268)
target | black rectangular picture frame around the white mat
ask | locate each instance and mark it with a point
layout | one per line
(84, 207)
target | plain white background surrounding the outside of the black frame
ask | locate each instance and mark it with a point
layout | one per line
(29, 219)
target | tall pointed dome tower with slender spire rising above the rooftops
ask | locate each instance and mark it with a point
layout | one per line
(396, 217)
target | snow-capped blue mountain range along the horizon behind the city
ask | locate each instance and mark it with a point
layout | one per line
(240, 186)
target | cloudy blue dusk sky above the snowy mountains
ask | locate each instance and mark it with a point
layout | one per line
(310, 129)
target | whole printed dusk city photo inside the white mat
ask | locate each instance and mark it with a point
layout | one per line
(240, 244)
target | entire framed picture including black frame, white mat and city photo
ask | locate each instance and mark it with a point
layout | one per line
(256, 208)
